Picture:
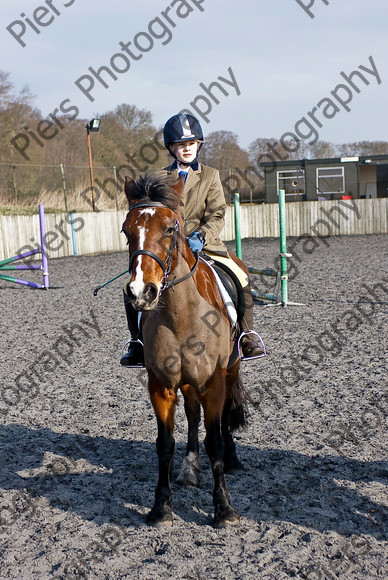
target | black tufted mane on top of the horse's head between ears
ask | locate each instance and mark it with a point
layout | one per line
(153, 187)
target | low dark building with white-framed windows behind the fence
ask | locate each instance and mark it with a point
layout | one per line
(321, 179)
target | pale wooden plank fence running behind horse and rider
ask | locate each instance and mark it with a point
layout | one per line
(96, 233)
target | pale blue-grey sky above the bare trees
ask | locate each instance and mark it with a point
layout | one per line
(275, 60)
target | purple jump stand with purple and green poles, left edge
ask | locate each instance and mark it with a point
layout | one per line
(9, 264)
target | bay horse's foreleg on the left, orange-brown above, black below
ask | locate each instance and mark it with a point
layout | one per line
(163, 401)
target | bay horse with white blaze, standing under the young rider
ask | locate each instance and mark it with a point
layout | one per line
(188, 343)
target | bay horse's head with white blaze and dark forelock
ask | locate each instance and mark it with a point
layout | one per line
(153, 230)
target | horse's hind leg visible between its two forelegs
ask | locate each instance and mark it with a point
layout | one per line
(190, 471)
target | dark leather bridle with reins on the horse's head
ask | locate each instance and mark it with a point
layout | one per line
(166, 265)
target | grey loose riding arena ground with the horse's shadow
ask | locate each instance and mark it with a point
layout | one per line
(78, 459)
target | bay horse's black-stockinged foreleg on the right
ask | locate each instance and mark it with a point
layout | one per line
(213, 402)
